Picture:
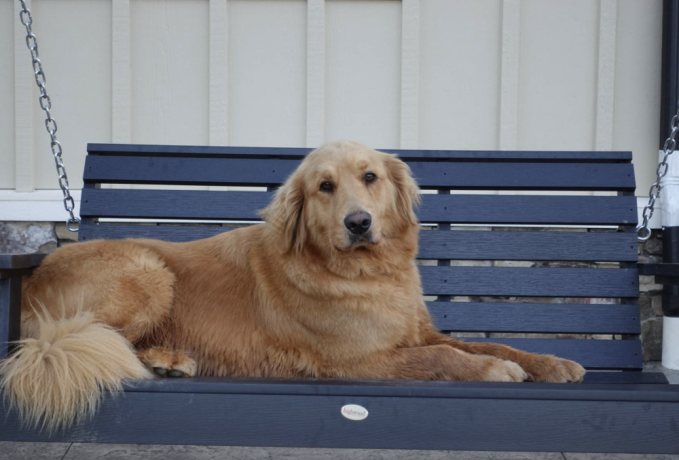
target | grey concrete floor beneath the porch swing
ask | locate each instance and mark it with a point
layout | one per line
(77, 451)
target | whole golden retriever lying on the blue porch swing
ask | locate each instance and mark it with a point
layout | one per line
(327, 287)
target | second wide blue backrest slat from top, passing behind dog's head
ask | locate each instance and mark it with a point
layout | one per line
(490, 209)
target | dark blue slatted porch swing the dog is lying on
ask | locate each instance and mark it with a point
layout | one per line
(617, 408)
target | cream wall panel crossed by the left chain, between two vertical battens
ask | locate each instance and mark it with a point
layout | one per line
(75, 48)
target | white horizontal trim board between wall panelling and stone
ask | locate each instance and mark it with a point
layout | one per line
(47, 206)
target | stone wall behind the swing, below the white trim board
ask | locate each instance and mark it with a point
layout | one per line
(46, 237)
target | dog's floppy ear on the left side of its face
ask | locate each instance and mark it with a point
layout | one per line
(285, 214)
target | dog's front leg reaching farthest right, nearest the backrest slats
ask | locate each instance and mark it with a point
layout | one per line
(540, 368)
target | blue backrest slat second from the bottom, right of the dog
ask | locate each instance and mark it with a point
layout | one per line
(535, 317)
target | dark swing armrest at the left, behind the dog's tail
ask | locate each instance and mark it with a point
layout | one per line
(13, 267)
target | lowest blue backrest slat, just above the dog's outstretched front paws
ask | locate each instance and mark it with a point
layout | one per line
(592, 354)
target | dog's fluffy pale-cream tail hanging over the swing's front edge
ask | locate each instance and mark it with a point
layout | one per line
(60, 378)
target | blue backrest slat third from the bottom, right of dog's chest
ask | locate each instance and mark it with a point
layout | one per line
(533, 282)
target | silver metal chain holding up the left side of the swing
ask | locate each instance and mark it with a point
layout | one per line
(73, 222)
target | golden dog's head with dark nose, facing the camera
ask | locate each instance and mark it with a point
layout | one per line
(345, 197)
